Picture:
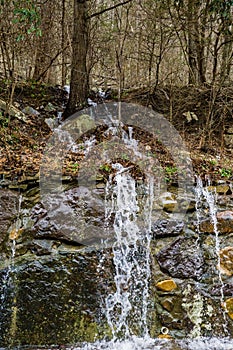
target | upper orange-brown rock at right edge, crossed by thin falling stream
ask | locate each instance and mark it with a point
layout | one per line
(225, 223)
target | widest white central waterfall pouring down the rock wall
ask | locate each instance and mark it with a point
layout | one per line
(126, 308)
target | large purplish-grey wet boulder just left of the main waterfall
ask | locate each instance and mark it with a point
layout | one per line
(75, 216)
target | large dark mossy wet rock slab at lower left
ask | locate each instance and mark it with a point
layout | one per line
(58, 300)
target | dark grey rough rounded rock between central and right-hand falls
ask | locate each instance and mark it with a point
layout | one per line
(182, 259)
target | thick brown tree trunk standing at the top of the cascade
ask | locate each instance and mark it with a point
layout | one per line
(79, 78)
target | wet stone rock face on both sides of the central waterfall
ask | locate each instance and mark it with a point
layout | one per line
(55, 271)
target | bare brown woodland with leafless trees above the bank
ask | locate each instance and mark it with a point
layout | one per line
(172, 55)
